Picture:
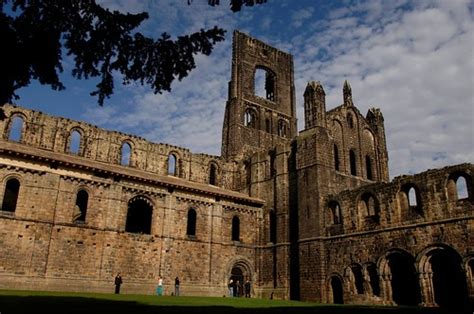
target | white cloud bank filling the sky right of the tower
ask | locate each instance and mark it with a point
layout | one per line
(418, 69)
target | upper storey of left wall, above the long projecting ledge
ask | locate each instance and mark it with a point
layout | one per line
(55, 134)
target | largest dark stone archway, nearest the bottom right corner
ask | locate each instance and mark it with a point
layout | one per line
(443, 276)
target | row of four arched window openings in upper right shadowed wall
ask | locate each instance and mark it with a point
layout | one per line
(409, 199)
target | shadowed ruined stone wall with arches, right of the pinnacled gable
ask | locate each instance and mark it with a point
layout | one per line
(439, 221)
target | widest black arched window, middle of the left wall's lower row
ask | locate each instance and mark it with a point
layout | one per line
(139, 215)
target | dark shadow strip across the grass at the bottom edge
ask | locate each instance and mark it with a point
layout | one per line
(57, 304)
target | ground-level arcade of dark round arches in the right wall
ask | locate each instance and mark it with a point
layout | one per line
(438, 276)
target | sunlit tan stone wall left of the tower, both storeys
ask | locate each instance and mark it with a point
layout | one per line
(44, 245)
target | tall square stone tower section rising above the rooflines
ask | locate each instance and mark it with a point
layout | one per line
(258, 119)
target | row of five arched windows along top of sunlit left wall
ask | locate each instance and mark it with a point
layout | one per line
(74, 146)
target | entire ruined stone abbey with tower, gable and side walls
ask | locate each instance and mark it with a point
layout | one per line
(307, 215)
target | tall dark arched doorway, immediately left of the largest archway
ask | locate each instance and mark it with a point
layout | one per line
(400, 267)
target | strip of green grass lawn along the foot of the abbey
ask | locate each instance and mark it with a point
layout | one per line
(12, 302)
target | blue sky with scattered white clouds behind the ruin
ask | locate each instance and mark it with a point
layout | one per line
(412, 59)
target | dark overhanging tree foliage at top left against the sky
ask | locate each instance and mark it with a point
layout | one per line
(35, 33)
